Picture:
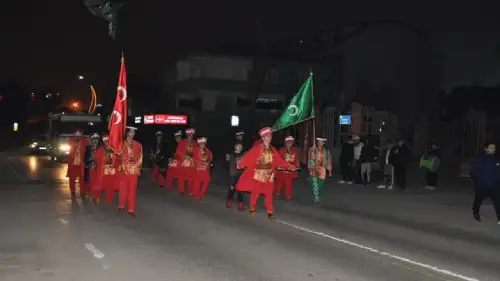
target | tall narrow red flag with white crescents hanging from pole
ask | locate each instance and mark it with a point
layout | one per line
(118, 120)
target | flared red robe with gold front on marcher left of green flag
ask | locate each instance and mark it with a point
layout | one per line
(260, 167)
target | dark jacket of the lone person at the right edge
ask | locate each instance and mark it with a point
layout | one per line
(485, 172)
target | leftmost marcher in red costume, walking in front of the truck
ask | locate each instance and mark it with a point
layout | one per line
(76, 161)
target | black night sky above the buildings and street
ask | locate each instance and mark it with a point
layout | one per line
(50, 43)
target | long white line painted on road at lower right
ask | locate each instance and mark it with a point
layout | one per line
(382, 253)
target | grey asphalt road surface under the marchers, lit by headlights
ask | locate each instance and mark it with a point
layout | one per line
(361, 234)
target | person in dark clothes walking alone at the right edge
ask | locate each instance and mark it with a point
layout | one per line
(485, 172)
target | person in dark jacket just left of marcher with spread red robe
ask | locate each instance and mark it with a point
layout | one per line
(234, 176)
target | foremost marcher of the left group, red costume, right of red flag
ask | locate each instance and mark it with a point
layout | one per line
(131, 165)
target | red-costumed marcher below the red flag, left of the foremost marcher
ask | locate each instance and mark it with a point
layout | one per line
(107, 167)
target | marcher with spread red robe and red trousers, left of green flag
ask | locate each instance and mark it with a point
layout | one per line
(261, 163)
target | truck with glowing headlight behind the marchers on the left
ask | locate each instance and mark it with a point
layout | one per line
(61, 128)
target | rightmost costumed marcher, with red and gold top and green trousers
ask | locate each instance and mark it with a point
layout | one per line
(320, 162)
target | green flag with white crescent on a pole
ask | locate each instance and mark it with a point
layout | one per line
(300, 108)
